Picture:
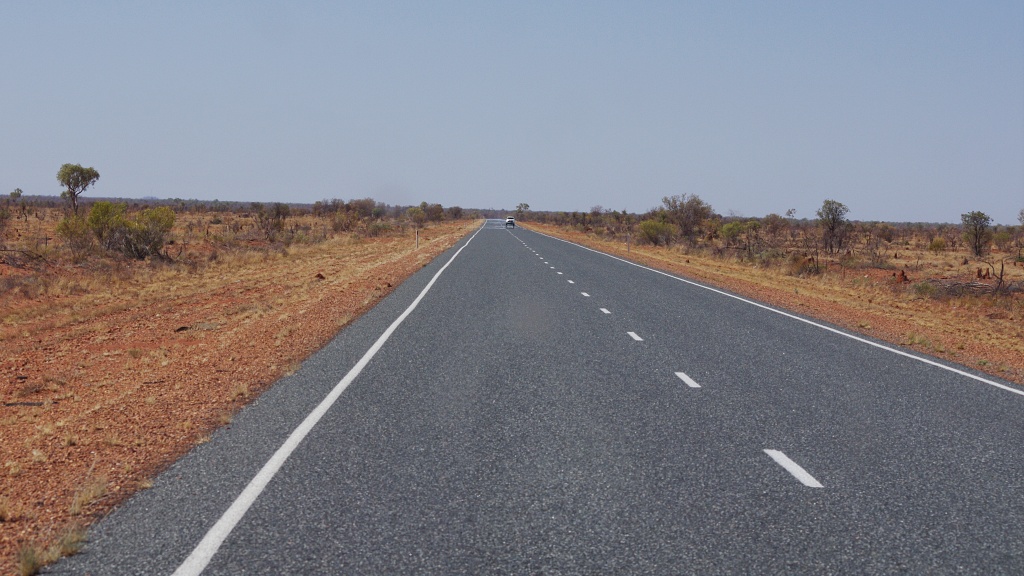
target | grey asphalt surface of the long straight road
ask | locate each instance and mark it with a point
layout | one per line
(510, 426)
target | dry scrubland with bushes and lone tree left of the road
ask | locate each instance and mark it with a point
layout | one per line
(46, 231)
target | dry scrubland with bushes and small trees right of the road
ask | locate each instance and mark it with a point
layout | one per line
(799, 246)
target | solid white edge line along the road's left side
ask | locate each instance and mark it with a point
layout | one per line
(204, 552)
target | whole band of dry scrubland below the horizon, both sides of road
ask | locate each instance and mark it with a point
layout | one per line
(78, 229)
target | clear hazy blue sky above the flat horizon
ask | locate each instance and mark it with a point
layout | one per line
(904, 111)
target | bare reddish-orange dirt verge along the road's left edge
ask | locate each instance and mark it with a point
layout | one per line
(109, 376)
